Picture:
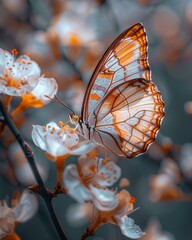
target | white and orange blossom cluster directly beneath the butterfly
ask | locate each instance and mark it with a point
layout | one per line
(88, 181)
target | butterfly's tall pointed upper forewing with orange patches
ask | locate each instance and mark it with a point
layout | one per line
(126, 59)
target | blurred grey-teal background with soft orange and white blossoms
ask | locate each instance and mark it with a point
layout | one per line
(67, 39)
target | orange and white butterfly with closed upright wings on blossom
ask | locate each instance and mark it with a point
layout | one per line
(122, 108)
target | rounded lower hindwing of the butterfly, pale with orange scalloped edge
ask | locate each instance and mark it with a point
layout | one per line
(128, 118)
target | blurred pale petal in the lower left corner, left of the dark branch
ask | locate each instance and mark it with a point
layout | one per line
(26, 208)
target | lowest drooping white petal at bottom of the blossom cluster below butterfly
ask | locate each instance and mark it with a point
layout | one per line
(129, 228)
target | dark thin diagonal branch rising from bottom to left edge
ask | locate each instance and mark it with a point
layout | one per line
(30, 158)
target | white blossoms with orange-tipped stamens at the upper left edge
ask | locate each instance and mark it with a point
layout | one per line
(20, 76)
